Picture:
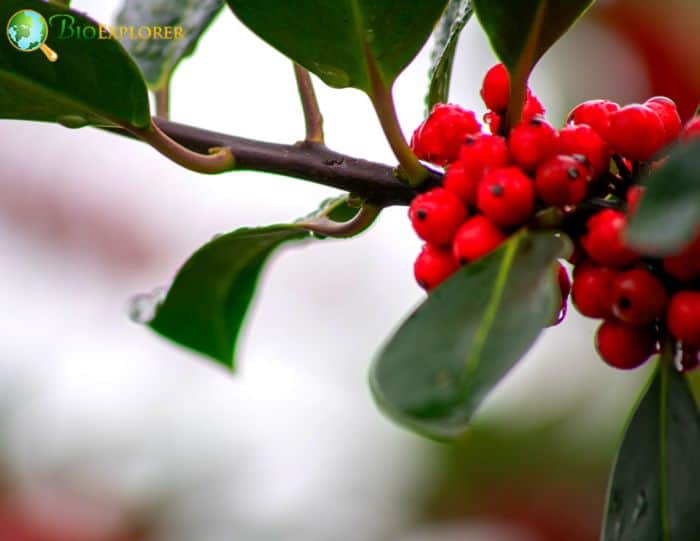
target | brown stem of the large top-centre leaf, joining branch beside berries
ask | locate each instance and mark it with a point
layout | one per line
(383, 102)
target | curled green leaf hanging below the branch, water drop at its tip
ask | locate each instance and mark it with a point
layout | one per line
(206, 304)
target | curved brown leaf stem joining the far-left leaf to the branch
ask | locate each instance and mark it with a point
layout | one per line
(218, 160)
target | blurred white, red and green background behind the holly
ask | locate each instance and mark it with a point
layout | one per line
(109, 433)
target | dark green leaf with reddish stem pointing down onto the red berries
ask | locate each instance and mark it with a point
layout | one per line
(521, 31)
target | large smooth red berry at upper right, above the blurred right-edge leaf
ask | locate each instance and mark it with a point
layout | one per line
(636, 132)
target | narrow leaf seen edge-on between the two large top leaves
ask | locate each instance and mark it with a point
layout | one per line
(442, 57)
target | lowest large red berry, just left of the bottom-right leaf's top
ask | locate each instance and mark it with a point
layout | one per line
(624, 346)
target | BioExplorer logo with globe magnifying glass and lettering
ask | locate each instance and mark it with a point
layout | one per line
(28, 30)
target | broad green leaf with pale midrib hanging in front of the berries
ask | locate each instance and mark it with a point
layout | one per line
(435, 371)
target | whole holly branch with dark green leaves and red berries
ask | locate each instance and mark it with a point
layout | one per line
(499, 200)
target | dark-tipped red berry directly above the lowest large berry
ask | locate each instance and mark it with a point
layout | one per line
(639, 297)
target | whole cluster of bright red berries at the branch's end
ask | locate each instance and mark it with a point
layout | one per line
(495, 183)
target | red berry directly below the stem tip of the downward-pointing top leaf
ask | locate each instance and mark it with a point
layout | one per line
(532, 142)
